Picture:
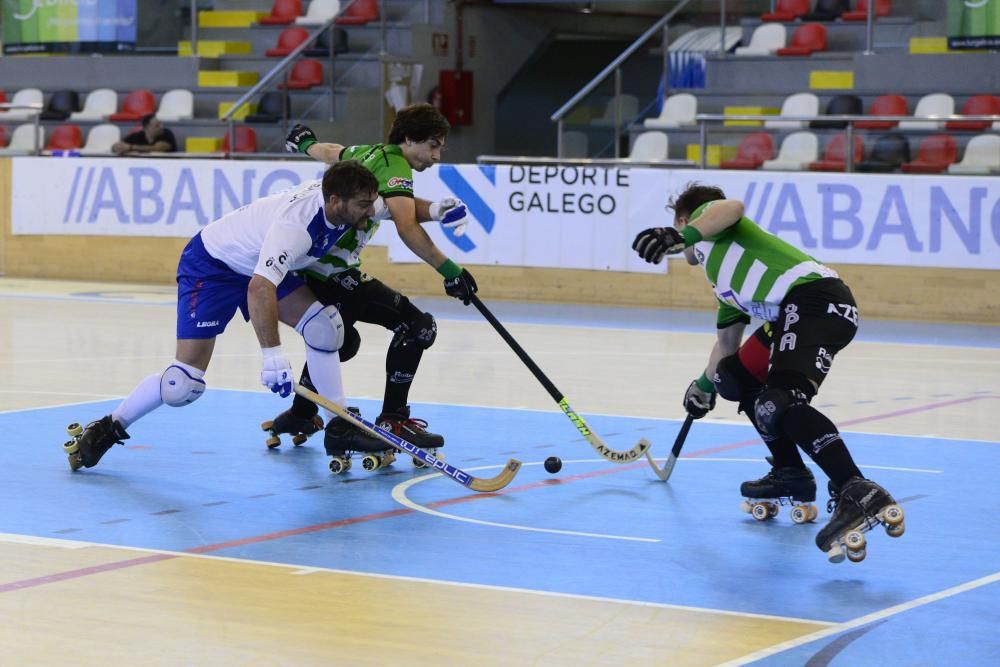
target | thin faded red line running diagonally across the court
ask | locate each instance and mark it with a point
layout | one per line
(267, 537)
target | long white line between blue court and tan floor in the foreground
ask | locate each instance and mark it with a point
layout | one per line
(48, 541)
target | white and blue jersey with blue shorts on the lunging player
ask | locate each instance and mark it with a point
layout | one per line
(270, 237)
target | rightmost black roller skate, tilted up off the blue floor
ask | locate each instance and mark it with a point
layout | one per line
(860, 506)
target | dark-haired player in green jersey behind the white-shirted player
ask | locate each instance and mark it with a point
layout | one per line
(415, 141)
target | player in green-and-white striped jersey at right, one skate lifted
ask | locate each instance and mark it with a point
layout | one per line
(812, 315)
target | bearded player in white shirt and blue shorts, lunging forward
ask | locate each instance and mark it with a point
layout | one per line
(244, 261)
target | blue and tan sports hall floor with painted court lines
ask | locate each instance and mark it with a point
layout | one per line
(195, 545)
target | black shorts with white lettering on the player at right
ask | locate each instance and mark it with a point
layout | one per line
(817, 321)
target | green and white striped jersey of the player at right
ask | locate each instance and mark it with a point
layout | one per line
(751, 270)
